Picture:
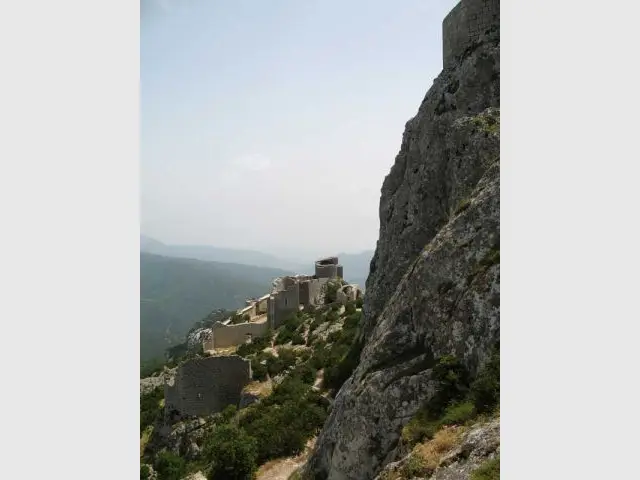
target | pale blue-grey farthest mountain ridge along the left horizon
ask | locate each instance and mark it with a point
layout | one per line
(216, 254)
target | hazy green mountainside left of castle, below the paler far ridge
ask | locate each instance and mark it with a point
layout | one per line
(177, 292)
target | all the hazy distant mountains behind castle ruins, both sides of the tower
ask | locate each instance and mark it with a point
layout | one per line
(181, 284)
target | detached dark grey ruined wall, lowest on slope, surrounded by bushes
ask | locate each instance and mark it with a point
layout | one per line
(203, 386)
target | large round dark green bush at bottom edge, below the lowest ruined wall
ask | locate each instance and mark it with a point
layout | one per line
(232, 454)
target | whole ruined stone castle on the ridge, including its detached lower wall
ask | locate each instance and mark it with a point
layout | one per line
(203, 386)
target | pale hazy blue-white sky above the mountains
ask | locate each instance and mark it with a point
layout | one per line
(271, 125)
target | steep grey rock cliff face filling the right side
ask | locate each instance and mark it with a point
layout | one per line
(434, 283)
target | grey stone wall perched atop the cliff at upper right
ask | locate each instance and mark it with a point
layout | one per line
(465, 23)
